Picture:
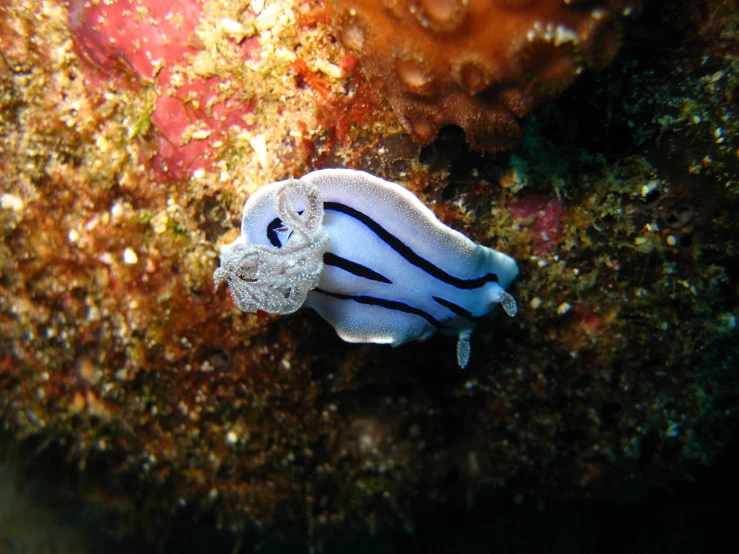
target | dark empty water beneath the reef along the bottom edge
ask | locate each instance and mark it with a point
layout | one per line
(698, 515)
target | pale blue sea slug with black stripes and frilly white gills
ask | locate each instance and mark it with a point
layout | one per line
(368, 256)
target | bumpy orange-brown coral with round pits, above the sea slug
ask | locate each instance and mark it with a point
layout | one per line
(479, 64)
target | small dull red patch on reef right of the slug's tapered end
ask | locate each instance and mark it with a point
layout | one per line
(543, 217)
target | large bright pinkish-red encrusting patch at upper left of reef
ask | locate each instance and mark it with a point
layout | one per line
(144, 40)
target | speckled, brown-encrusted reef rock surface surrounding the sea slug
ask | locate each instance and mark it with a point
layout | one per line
(120, 362)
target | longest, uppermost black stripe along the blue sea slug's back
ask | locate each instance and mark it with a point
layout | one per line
(404, 250)
